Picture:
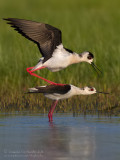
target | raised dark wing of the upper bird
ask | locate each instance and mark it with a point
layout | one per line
(44, 35)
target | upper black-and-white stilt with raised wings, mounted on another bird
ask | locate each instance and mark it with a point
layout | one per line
(49, 41)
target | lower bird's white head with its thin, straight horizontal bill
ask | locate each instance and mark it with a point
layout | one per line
(90, 90)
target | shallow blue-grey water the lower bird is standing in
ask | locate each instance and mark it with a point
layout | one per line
(30, 136)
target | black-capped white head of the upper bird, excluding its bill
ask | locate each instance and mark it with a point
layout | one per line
(86, 57)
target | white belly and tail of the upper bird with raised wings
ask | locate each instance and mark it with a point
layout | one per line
(59, 60)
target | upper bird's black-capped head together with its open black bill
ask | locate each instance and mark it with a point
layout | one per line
(88, 57)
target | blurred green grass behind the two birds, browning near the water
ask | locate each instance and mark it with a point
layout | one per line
(86, 26)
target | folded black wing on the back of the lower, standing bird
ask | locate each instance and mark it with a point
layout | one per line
(54, 89)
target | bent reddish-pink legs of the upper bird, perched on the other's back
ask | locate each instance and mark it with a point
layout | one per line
(33, 74)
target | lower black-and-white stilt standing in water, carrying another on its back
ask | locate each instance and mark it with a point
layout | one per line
(57, 92)
